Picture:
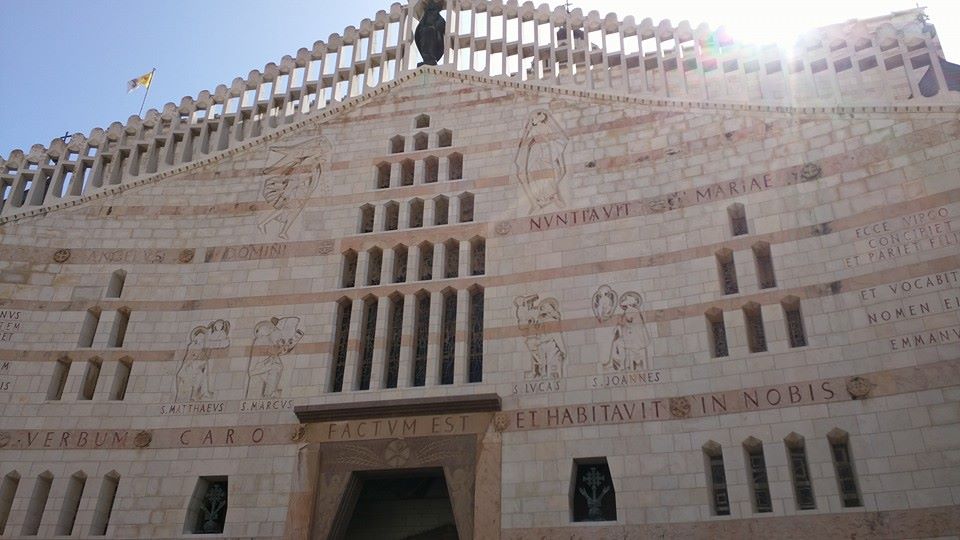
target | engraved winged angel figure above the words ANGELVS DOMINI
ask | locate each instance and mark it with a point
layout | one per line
(293, 170)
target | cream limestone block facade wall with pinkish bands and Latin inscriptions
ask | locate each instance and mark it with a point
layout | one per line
(577, 197)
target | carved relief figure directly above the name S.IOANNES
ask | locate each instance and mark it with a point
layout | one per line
(630, 339)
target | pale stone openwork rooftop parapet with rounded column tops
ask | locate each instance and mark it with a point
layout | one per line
(879, 61)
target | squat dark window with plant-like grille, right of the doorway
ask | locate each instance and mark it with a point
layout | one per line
(592, 494)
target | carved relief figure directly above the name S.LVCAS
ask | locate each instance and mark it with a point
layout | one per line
(547, 351)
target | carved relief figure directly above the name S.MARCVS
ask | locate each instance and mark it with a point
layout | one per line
(279, 336)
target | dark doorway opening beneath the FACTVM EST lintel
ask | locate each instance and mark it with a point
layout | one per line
(400, 505)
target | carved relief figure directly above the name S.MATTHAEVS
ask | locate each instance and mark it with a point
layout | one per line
(193, 375)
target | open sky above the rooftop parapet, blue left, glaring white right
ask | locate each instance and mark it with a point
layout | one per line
(65, 63)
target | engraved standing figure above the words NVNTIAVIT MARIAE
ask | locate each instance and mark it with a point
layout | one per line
(540, 161)
